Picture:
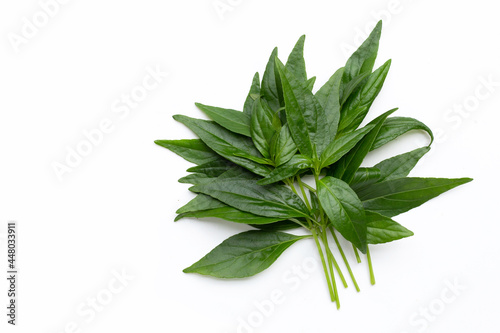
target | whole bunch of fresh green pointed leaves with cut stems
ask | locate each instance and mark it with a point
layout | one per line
(292, 158)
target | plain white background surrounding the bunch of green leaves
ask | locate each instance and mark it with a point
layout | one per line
(114, 211)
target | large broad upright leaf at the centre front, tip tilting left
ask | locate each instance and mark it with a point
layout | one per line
(306, 118)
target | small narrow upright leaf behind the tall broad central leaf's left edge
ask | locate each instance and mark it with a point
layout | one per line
(271, 86)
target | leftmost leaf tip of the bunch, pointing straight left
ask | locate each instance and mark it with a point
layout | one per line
(193, 150)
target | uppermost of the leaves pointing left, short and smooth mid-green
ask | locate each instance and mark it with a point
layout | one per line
(235, 121)
